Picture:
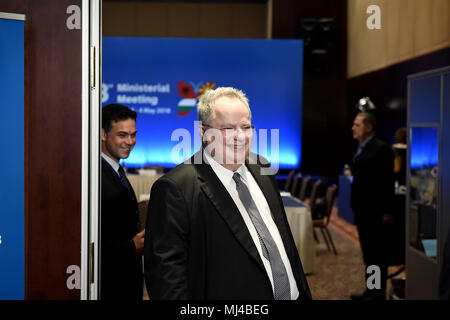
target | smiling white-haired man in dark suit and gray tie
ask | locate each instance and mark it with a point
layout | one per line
(216, 226)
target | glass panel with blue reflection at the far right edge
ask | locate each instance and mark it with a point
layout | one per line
(424, 155)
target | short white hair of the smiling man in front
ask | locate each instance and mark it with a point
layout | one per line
(205, 107)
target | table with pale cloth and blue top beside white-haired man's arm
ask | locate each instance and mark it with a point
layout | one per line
(300, 221)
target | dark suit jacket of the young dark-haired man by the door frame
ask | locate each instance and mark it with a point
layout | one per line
(121, 269)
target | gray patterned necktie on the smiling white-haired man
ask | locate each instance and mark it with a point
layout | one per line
(270, 251)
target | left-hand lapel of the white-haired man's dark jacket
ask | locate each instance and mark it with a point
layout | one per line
(221, 199)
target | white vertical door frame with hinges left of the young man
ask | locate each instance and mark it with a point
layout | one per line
(90, 155)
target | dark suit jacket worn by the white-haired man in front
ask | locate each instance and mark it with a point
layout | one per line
(197, 245)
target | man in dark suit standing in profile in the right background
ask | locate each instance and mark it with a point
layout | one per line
(372, 193)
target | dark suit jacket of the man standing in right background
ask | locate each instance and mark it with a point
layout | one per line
(372, 195)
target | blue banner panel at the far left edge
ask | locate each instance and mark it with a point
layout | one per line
(12, 251)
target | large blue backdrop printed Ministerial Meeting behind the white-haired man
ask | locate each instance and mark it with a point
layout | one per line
(161, 78)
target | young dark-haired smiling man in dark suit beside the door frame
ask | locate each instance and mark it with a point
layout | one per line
(121, 242)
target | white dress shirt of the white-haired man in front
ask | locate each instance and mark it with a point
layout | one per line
(226, 177)
